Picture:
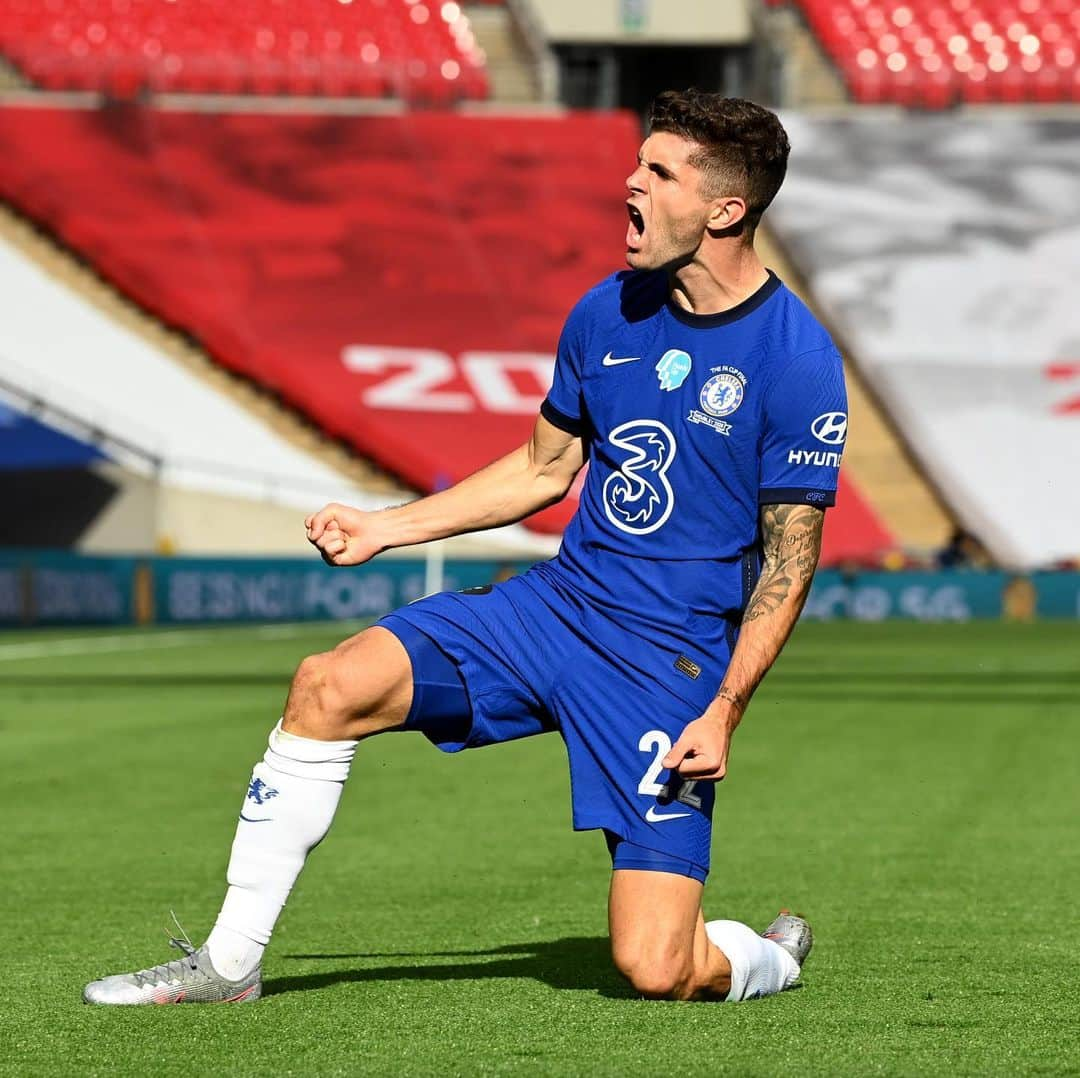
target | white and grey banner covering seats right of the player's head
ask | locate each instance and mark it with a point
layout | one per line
(946, 251)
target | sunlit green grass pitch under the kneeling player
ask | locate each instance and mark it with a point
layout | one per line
(914, 789)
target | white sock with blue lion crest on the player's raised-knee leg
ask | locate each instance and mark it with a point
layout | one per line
(287, 813)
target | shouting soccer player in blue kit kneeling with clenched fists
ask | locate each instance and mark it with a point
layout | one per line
(711, 409)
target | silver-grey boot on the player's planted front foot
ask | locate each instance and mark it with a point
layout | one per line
(187, 980)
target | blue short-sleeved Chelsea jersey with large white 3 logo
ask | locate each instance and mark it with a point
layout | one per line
(692, 423)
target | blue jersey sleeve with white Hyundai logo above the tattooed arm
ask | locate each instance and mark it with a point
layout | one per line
(806, 422)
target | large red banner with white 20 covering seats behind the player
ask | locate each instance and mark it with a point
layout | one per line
(400, 280)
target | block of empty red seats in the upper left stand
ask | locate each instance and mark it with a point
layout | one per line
(422, 51)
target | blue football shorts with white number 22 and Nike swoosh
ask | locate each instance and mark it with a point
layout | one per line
(526, 657)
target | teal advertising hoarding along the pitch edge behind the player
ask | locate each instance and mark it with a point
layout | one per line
(72, 589)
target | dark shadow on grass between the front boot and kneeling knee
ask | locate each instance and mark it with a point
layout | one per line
(572, 963)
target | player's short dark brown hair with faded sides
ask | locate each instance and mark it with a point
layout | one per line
(744, 146)
